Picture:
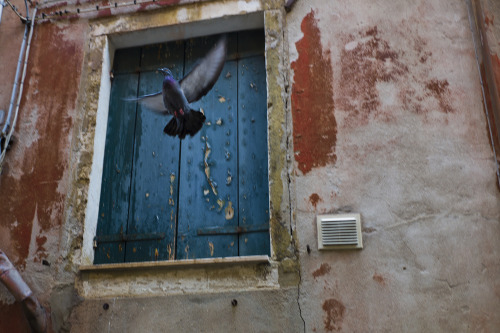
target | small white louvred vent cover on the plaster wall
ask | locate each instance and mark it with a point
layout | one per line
(339, 231)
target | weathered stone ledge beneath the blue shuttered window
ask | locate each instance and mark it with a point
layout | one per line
(192, 276)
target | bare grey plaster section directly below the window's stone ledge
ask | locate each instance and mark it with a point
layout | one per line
(263, 311)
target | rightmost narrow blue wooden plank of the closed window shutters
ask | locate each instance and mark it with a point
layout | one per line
(252, 142)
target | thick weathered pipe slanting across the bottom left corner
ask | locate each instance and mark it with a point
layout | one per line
(10, 277)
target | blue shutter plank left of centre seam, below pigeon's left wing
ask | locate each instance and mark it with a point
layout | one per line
(154, 181)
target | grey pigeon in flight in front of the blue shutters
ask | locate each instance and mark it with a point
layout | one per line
(175, 96)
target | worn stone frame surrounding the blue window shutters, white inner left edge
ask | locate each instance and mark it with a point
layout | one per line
(108, 35)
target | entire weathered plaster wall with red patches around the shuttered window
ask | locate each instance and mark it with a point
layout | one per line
(387, 117)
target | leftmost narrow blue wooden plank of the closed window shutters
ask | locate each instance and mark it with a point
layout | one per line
(117, 168)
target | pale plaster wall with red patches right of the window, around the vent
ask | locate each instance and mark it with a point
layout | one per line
(388, 122)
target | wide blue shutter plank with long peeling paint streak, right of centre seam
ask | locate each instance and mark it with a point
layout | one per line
(207, 193)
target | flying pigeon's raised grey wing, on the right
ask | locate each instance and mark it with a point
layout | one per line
(203, 76)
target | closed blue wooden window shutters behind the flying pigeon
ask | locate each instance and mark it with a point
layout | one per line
(205, 196)
